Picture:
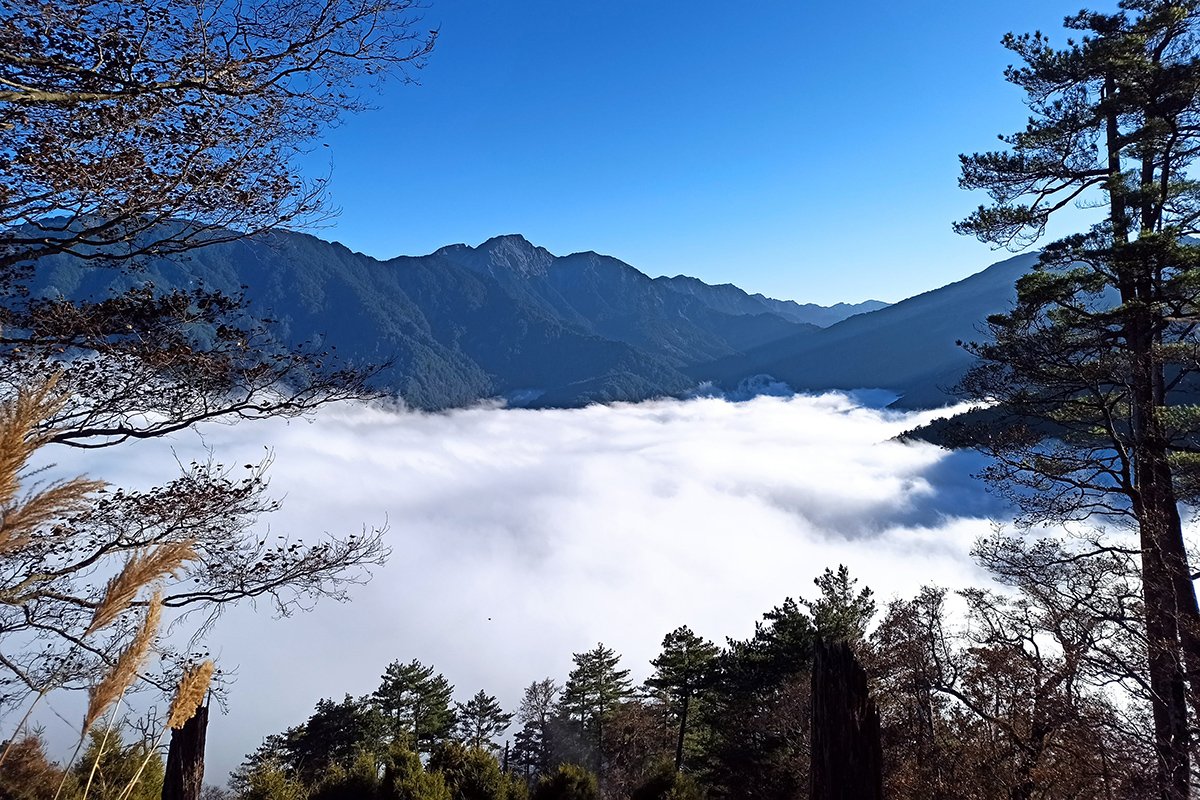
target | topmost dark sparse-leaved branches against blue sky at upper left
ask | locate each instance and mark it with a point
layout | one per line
(154, 127)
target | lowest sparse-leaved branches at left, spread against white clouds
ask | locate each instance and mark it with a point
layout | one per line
(79, 558)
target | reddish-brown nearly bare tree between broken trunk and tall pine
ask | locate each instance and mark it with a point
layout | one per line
(1041, 693)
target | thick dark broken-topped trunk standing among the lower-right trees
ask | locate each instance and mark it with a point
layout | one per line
(847, 753)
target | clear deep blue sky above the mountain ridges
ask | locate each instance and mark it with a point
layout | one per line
(799, 149)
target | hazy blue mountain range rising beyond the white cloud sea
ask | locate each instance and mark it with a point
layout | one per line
(511, 320)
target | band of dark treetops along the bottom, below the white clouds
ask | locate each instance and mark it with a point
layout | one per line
(1033, 690)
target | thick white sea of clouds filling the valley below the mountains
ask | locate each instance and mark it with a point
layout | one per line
(521, 537)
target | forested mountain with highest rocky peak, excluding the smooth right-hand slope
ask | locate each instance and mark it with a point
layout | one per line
(505, 320)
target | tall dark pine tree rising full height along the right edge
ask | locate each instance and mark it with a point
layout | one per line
(1093, 375)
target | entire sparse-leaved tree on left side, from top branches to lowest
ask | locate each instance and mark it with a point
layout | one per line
(134, 131)
